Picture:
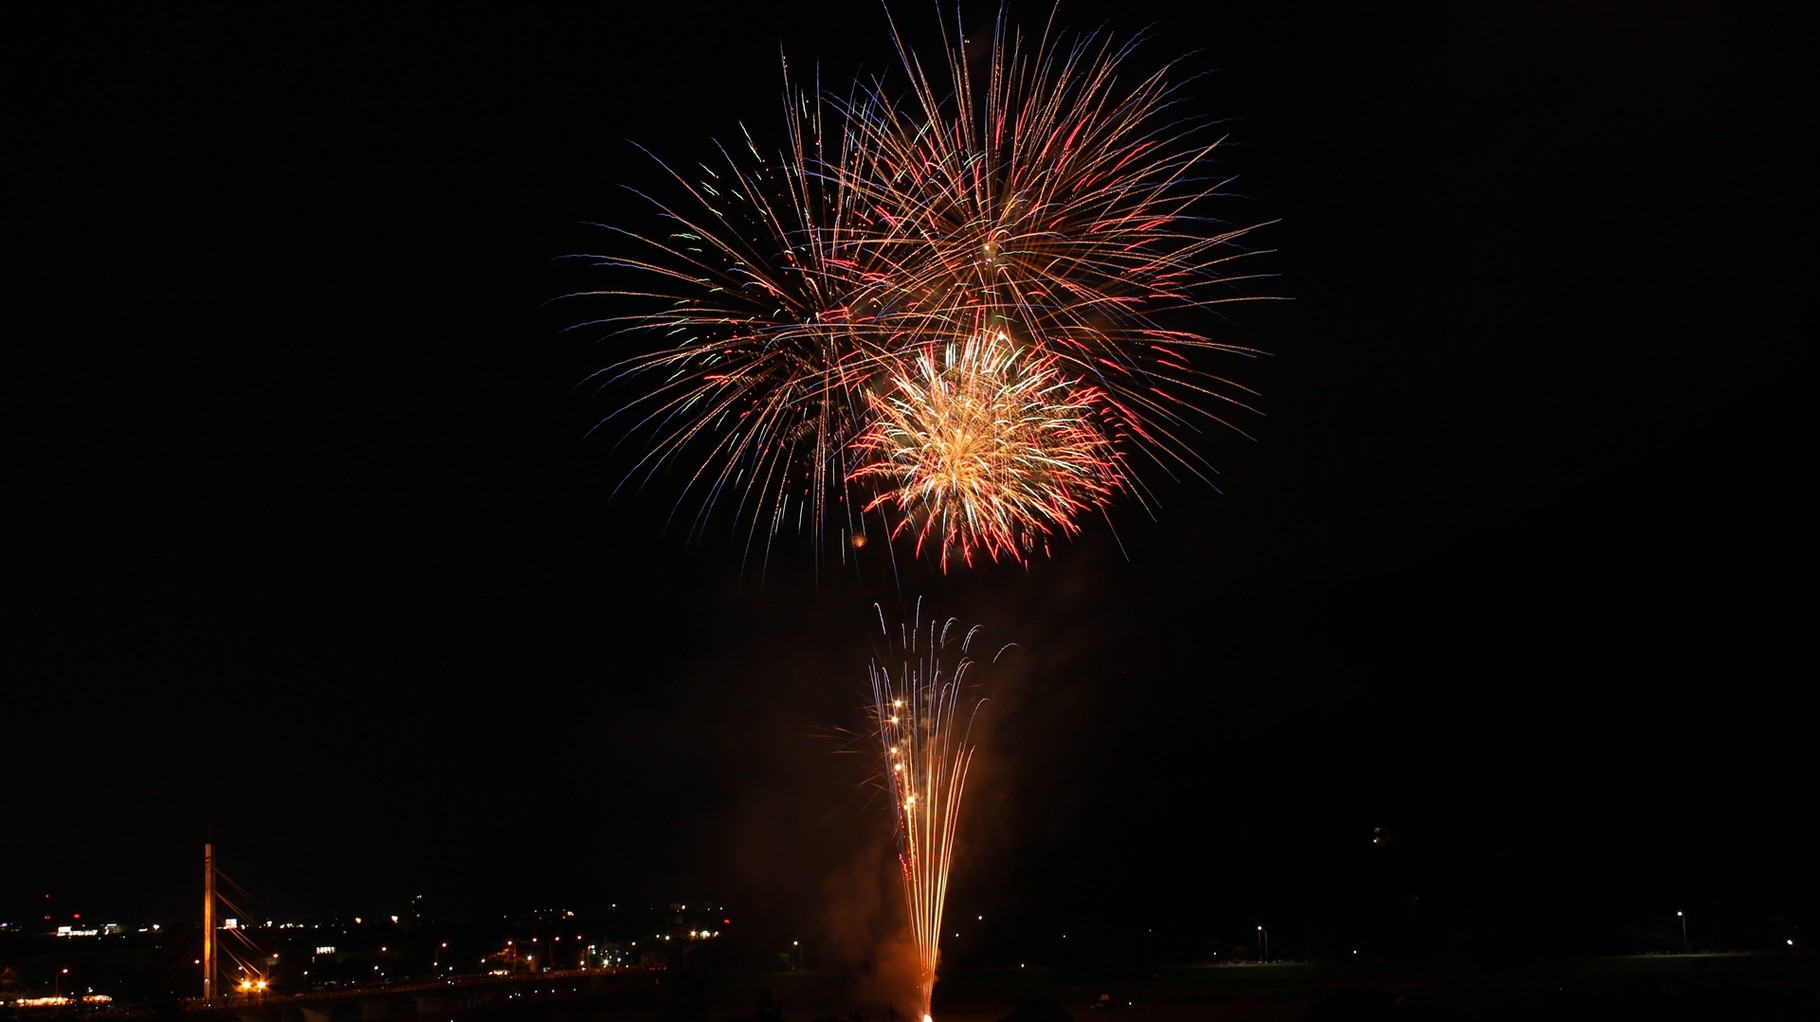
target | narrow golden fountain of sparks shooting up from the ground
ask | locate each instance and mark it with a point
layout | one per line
(924, 716)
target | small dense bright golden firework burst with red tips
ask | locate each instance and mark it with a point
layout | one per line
(984, 446)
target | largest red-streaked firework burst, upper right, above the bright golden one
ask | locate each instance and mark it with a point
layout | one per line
(1047, 192)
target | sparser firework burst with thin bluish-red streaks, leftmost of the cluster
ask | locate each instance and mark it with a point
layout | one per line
(754, 385)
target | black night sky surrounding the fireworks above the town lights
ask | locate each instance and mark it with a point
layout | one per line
(312, 554)
